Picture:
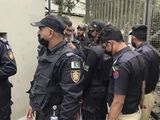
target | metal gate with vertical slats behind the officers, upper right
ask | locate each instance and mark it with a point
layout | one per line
(126, 13)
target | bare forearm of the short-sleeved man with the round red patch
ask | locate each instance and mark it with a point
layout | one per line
(115, 109)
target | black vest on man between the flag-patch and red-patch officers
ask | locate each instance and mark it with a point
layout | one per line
(96, 90)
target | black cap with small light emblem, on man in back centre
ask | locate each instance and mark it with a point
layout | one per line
(97, 25)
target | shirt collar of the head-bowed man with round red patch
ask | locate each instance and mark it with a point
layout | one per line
(120, 53)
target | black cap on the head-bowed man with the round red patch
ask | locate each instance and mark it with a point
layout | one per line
(110, 32)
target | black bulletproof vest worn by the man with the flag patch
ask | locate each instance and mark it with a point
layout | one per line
(44, 85)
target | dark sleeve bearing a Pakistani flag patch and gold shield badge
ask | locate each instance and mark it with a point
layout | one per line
(71, 84)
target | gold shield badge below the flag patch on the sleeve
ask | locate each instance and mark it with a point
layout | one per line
(75, 75)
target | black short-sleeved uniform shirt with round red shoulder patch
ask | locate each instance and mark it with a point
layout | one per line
(126, 79)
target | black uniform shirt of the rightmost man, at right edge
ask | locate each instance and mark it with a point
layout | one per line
(152, 63)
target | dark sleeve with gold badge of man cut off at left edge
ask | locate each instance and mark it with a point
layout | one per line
(7, 62)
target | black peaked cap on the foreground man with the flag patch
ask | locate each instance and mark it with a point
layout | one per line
(52, 22)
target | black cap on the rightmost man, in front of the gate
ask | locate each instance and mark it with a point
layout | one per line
(139, 31)
